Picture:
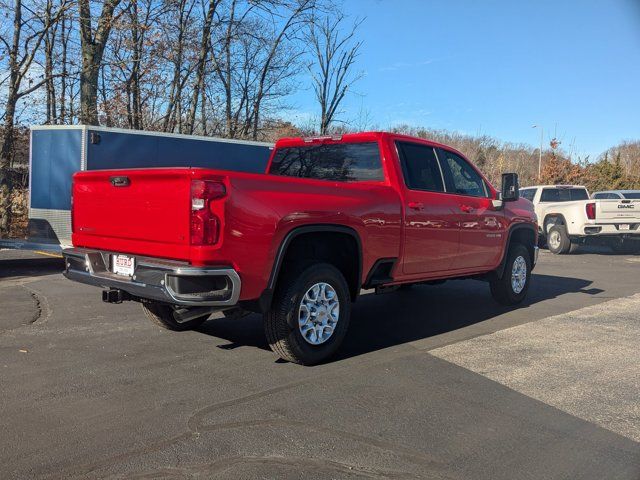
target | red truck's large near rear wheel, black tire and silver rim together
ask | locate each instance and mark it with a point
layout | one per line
(309, 315)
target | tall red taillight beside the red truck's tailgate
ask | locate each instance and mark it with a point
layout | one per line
(205, 224)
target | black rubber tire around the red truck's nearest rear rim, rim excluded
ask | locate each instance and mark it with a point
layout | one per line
(281, 322)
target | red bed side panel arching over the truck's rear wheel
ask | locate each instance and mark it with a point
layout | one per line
(263, 209)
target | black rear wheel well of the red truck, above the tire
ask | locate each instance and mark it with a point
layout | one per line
(339, 249)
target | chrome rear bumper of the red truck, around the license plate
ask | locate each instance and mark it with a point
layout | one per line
(156, 279)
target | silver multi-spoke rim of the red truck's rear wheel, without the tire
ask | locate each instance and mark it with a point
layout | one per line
(318, 313)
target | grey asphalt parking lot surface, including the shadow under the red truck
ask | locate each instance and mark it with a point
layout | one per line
(436, 382)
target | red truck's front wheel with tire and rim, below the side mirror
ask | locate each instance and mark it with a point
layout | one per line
(514, 284)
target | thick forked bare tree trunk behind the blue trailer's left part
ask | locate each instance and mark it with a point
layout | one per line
(93, 45)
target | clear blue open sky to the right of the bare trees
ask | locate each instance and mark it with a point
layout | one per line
(498, 67)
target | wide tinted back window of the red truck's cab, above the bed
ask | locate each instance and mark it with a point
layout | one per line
(342, 162)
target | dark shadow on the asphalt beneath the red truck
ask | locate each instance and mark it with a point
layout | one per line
(382, 321)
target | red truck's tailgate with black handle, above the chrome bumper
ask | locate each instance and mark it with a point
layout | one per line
(133, 208)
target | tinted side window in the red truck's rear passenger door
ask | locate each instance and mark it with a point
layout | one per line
(420, 167)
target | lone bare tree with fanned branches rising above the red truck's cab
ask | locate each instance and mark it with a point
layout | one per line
(332, 73)
